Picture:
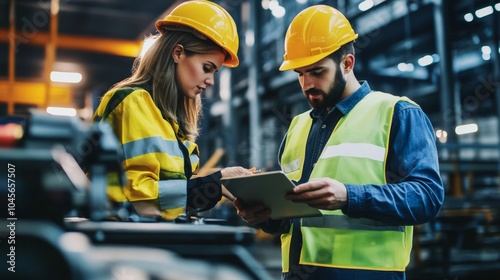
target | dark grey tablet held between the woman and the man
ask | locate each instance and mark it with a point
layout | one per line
(269, 188)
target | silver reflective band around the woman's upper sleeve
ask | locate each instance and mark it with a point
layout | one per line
(151, 145)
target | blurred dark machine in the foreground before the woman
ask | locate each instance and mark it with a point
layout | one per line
(59, 223)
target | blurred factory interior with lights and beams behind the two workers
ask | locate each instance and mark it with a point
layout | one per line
(61, 56)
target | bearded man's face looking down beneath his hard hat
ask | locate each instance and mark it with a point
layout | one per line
(323, 83)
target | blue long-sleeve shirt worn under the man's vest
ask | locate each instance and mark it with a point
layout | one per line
(413, 193)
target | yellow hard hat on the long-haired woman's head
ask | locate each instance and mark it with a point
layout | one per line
(209, 19)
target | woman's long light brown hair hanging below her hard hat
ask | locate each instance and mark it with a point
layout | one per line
(157, 69)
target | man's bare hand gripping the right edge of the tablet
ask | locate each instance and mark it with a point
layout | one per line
(323, 193)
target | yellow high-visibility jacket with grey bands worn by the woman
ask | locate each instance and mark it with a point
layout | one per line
(151, 142)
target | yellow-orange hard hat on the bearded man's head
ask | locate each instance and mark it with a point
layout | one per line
(313, 34)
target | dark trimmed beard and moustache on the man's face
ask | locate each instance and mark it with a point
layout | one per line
(331, 98)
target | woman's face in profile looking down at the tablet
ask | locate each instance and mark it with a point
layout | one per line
(196, 72)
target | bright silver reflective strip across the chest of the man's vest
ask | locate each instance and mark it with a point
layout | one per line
(359, 150)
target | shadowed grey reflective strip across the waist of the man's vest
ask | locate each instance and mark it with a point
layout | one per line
(345, 222)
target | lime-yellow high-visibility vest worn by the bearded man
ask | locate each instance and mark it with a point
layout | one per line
(355, 153)
